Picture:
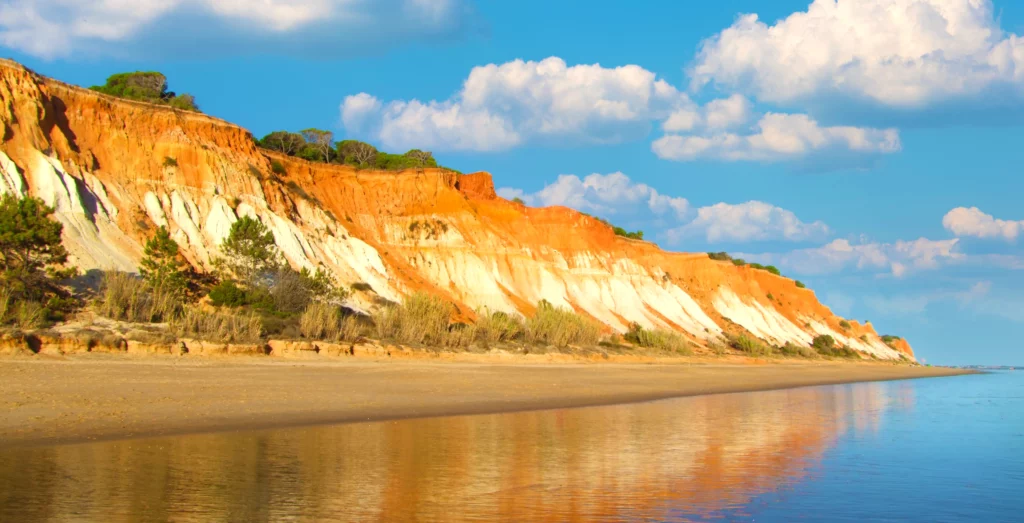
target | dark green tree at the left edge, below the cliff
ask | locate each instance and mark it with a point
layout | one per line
(32, 257)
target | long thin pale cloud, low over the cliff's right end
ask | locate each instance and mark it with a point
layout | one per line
(899, 258)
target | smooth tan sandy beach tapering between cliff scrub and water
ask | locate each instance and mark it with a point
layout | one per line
(83, 400)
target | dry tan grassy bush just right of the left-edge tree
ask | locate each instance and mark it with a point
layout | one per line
(130, 298)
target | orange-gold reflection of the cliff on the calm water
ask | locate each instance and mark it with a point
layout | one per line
(664, 460)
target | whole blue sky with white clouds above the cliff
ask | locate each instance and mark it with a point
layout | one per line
(867, 148)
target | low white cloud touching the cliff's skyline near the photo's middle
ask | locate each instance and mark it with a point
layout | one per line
(609, 194)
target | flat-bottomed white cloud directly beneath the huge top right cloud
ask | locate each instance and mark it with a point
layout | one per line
(777, 138)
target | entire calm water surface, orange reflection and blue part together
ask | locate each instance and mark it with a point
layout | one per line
(930, 451)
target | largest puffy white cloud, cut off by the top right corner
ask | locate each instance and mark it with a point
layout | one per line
(904, 54)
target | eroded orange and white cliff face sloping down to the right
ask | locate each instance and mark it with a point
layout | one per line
(115, 170)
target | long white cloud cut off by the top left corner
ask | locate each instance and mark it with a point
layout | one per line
(61, 28)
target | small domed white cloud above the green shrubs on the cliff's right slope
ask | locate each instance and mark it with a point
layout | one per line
(750, 222)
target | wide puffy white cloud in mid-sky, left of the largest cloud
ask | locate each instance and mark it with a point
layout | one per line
(503, 106)
